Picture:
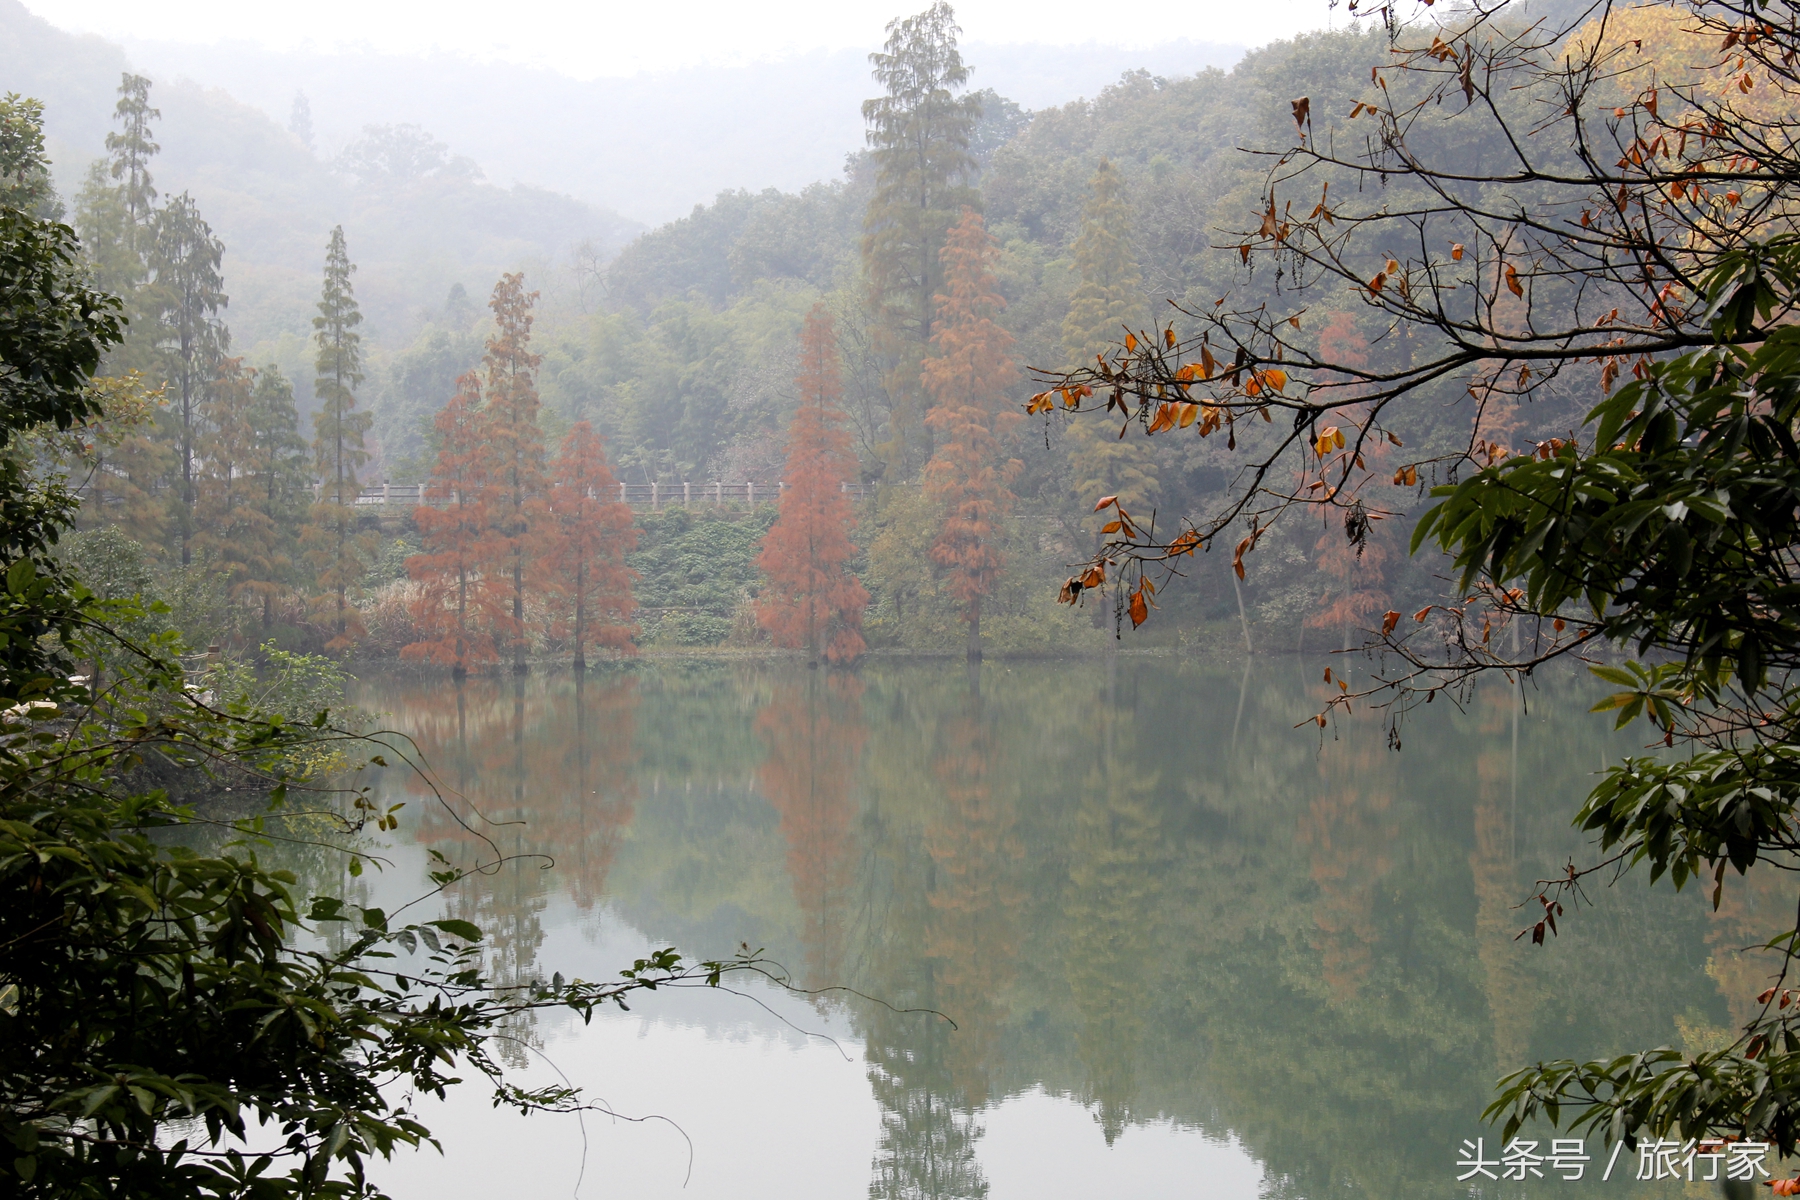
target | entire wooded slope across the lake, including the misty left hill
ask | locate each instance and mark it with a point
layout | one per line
(1075, 226)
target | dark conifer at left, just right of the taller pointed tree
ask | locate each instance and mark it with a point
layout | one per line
(188, 294)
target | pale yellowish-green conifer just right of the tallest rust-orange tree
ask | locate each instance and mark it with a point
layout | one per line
(1106, 303)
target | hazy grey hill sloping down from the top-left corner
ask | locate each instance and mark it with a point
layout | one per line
(274, 202)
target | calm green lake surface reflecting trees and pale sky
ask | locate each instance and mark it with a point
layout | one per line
(1189, 949)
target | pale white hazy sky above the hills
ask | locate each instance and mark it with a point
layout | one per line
(589, 39)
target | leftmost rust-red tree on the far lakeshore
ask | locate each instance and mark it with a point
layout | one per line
(456, 605)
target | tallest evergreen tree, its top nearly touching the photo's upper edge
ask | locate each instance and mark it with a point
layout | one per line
(921, 134)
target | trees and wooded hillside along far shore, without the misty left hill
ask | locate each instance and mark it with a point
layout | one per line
(969, 246)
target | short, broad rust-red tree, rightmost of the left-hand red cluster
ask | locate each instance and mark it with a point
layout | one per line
(589, 533)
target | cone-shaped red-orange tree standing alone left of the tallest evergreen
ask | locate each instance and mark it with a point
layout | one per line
(809, 600)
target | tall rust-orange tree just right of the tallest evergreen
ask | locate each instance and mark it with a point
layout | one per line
(967, 377)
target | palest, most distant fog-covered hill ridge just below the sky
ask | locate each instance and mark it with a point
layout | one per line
(649, 147)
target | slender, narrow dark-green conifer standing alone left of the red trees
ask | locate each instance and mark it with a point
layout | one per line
(334, 546)
